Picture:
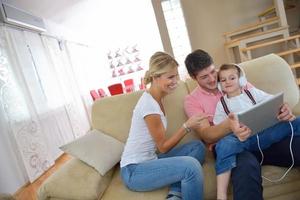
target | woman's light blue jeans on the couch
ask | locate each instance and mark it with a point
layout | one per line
(180, 168)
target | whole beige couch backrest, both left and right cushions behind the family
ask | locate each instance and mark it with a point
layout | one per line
(112, 115)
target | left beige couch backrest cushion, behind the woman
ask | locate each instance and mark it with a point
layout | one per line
(112, 115)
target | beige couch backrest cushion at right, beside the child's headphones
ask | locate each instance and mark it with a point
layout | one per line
(272, 74)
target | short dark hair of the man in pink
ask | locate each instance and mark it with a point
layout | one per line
(197, 61)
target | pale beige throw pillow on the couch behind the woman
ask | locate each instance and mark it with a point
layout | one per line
(96, 149)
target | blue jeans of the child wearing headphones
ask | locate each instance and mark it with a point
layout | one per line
(228, 147)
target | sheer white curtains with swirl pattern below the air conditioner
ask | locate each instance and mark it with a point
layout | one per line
(42, 105)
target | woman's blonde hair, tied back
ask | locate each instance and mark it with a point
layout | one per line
(160, 63)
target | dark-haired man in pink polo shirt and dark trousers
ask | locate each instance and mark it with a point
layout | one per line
(246, 176)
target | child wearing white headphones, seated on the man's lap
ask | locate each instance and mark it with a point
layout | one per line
(238, 95)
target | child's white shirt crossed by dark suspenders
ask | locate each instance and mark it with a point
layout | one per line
(239, 103)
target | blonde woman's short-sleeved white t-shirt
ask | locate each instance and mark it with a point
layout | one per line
(140, 145)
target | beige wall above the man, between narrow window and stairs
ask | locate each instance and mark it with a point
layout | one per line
(207, 21)
